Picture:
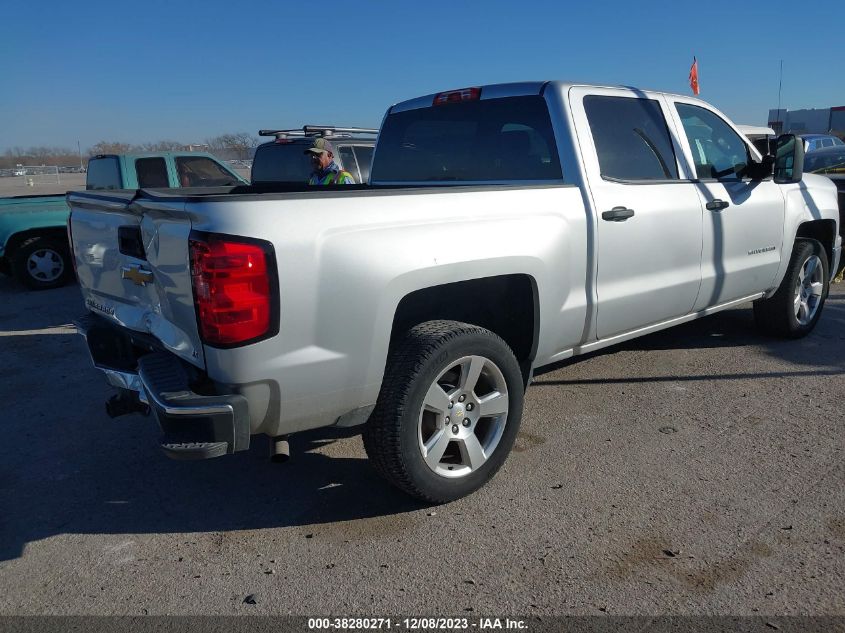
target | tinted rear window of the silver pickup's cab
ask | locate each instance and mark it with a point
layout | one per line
(494, 140)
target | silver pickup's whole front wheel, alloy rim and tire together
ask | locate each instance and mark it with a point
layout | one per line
(795, 308)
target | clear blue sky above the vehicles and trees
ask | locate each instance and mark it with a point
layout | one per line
(153, 70)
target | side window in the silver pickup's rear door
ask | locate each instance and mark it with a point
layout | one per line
(631, 138)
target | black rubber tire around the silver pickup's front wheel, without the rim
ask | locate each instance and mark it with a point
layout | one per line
(777, 314)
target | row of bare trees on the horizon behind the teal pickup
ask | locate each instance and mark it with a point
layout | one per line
(238, 146)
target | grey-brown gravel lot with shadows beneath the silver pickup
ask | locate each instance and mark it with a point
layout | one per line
(695, 471)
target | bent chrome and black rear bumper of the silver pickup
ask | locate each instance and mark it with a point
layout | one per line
(195, 426)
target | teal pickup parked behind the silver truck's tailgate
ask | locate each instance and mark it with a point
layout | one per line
(33, 234)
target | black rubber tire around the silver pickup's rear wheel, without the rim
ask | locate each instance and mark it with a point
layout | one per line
(393, 434)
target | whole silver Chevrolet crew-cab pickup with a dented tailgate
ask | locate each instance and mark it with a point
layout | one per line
(504, 228)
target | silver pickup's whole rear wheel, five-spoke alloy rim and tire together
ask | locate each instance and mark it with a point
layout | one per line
(448, 411)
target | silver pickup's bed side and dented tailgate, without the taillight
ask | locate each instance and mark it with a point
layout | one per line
(340, 252)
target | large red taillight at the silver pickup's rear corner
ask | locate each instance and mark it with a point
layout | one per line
(233, 289)
